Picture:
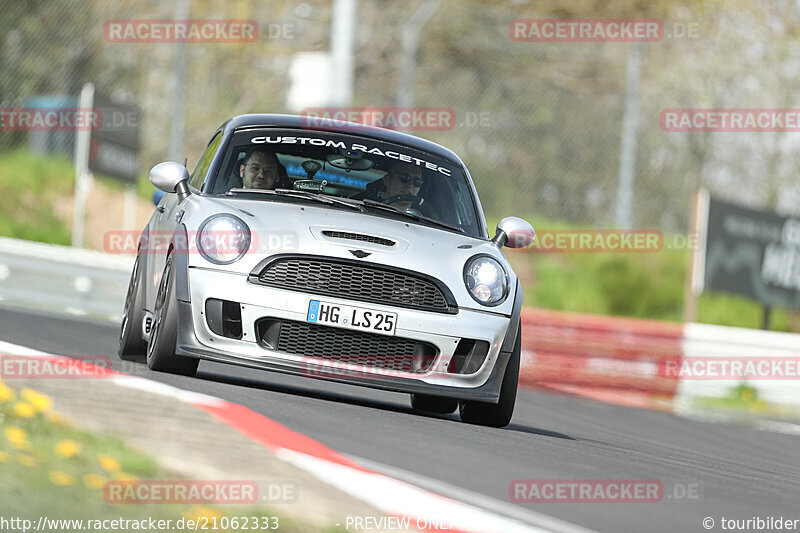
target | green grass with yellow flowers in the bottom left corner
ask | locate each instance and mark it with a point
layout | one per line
(37, 480)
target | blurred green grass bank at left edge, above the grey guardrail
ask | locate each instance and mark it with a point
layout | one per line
(29, 188)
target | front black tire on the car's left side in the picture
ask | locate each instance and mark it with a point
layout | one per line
(164, 333)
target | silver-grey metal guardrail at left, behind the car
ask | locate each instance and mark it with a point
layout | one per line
(63, 279)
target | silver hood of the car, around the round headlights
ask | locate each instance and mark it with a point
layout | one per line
(315, 229)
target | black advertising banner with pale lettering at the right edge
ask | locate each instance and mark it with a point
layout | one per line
(754, 254)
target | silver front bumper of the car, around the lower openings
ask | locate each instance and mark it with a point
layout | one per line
(195, 338)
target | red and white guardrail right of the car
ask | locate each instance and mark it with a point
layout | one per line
(654, 363)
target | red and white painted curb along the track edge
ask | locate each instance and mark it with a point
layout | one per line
(423, 509)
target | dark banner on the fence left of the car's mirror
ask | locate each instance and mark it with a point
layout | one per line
(114, 146)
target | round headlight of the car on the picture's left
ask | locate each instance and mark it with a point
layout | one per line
(223, 239)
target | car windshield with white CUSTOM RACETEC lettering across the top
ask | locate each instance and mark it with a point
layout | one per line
(419, 186)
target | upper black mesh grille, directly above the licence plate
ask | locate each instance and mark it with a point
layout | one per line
(355, 282)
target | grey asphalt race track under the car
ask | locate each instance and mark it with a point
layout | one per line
(732, 471)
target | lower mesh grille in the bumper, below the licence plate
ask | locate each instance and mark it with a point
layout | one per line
(353, 347)
